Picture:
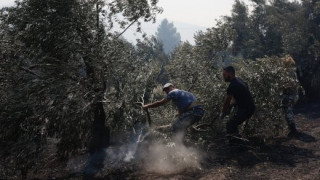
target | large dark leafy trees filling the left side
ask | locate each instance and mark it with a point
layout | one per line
(57, 63)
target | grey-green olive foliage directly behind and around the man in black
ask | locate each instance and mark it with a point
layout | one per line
(264, 76)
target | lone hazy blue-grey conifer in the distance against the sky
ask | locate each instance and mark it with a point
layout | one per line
(167, 34)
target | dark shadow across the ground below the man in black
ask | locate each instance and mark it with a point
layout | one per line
(247, 155)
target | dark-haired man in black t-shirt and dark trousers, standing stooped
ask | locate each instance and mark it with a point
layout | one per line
(239, 96)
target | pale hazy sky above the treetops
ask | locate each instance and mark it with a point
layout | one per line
(188, 16)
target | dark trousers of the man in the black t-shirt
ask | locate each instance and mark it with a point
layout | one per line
(241, 115)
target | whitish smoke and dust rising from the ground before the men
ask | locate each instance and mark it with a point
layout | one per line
(155, 154)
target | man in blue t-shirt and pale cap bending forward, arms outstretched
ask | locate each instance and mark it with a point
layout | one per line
(188, 109)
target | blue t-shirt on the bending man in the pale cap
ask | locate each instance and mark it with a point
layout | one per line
(182, 99)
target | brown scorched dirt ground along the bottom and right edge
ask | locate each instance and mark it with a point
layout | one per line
(279, 158)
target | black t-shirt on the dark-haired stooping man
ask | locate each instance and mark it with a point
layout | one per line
(240, 92)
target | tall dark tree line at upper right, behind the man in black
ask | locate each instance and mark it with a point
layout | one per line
(272, 29)
